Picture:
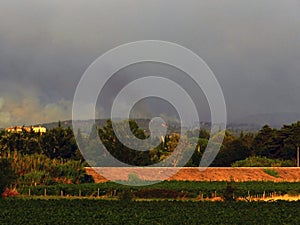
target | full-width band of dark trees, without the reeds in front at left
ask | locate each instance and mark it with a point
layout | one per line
(60, 143)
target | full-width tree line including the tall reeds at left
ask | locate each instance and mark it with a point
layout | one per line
(32, 158)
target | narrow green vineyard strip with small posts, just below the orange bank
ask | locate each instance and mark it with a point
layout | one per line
(166, 188)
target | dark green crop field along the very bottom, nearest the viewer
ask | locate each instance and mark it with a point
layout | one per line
(91, 211)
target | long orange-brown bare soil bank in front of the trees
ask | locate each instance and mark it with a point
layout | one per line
(239, 174)
